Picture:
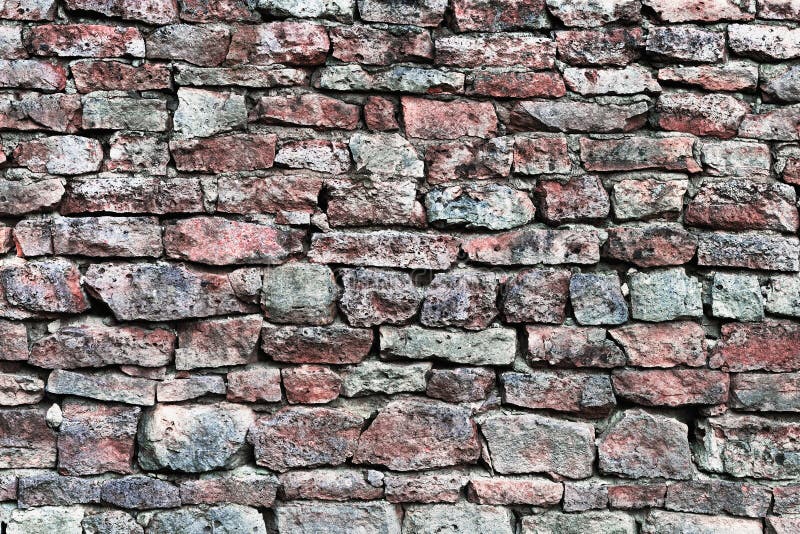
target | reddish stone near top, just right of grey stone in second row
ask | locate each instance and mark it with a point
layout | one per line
(288, 42)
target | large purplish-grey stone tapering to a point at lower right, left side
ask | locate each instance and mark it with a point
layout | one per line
(162, 291)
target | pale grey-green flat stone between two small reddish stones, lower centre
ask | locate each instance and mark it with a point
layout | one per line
(376, 377)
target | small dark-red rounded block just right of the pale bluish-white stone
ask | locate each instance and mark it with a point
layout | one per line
(578, 199)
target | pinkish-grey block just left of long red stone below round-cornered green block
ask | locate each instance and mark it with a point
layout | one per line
(217, 342)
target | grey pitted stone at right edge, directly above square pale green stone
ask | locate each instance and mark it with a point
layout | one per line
(748, 250)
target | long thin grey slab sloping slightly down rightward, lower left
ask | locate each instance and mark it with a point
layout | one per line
(104, 386)
